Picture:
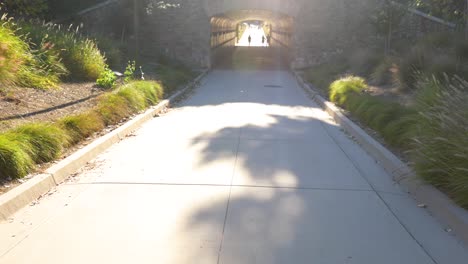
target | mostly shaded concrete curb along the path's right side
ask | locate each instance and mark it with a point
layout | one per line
(438, 204)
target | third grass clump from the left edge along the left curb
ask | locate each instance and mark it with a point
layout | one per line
(81, 126)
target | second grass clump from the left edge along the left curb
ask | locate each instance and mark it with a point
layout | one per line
(47, 140)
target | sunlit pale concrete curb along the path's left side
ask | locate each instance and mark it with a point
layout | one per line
(31, 190)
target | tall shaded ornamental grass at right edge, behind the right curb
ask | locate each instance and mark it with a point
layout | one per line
(441, 142)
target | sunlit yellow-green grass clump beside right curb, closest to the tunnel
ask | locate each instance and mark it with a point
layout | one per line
(342, 88)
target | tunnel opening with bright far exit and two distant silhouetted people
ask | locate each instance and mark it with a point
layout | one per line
(270, 33)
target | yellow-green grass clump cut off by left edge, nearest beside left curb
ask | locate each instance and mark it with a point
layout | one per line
(15, 161)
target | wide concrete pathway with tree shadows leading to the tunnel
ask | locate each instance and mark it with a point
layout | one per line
(248, 170)
